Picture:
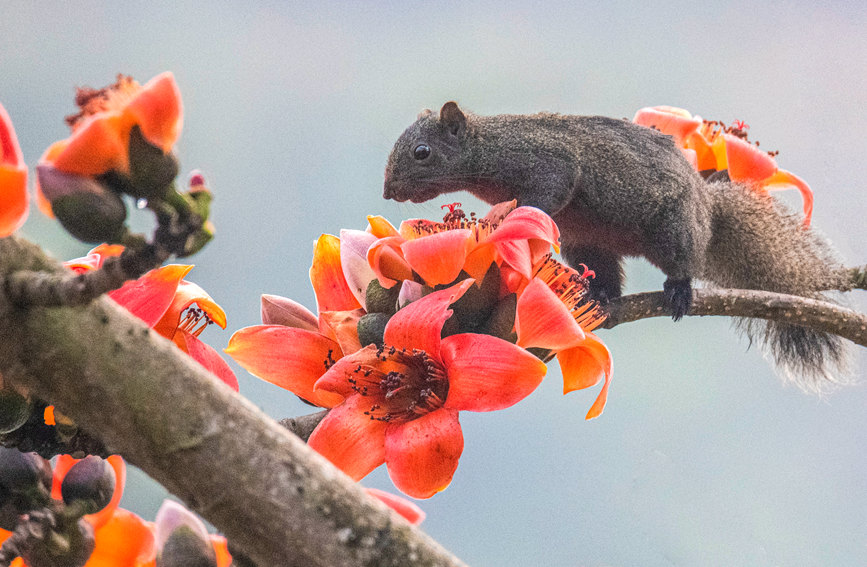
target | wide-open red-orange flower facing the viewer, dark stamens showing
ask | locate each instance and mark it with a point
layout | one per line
(402, 399)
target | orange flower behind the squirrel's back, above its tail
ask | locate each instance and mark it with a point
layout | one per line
(712, 146)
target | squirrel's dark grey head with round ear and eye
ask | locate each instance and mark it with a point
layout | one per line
(425, 161)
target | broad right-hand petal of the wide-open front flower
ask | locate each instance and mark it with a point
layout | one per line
(486, 373)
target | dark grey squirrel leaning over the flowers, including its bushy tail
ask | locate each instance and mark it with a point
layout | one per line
(620, 189)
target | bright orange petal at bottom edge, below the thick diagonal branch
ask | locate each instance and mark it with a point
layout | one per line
(125, 539)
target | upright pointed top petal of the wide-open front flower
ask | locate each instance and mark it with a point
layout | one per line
(419, 324)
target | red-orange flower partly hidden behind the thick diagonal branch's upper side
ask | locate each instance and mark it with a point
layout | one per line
(164, 301)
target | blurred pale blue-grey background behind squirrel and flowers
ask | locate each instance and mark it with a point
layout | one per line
(703, 456)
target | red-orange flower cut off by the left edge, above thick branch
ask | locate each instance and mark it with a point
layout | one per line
(14, 201)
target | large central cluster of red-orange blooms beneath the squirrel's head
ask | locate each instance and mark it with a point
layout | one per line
(419, 323)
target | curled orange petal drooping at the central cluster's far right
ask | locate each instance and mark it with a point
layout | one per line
(583, 366)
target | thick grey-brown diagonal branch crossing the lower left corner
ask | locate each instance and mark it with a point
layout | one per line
(268, 492)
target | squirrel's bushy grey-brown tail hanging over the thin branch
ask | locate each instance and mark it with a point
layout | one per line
(758, 243)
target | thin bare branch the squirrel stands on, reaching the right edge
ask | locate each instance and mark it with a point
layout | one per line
(818, 315)
